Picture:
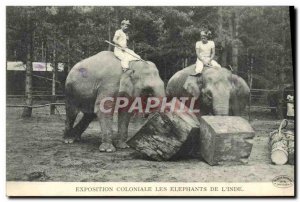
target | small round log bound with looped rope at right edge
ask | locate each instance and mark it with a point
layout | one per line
(281, 144)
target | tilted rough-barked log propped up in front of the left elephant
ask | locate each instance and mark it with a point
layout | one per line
(164, 135)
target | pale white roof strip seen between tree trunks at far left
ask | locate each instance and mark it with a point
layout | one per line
(37, 66)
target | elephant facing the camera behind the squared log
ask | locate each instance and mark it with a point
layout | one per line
(218, 91)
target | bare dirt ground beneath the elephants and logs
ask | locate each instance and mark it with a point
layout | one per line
(35, 152)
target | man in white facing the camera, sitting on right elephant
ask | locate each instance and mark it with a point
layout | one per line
(205, 50)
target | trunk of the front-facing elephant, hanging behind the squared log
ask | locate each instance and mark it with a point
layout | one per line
(221, 104)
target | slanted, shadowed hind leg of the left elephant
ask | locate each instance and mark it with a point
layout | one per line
(82, 125)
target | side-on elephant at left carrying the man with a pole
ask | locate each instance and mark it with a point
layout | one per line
(101, 76)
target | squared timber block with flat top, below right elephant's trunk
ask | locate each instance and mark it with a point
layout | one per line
(225, 139)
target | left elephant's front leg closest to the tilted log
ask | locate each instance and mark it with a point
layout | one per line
(123, 122)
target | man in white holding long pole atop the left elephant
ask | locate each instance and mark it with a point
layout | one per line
(122, 51)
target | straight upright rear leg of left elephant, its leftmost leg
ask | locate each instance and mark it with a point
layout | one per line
(71, 114)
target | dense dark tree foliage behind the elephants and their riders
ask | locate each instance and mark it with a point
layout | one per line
(164, 35)
